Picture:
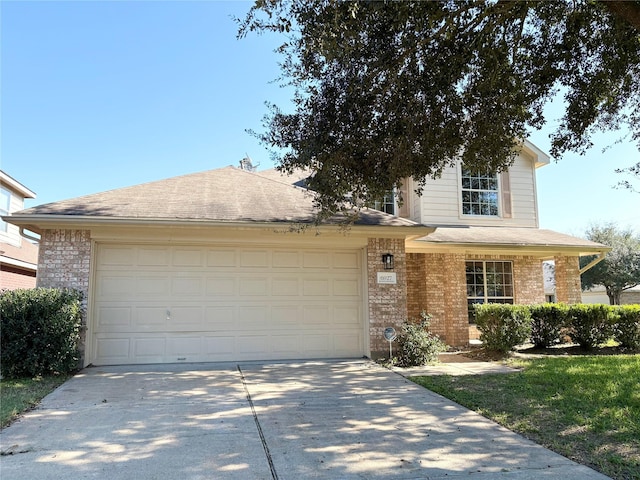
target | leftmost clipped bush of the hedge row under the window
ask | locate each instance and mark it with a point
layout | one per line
(503, 326)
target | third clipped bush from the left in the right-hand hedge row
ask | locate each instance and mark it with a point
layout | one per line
(591, 324)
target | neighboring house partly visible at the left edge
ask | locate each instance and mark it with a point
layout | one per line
(18, 256)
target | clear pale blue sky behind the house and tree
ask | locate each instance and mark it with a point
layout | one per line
(97, 95)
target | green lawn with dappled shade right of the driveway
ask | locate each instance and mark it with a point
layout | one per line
(586, 408)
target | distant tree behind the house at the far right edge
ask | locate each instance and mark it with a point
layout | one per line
(620, 270)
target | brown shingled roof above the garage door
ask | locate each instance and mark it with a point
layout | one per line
(225, 195)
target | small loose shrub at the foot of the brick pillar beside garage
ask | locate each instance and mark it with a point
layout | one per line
(416, 345)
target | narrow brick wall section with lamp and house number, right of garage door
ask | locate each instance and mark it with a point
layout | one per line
(387, 303)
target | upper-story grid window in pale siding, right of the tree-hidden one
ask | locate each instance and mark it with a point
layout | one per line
(479, 193)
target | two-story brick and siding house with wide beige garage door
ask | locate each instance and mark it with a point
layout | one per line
(227, 265)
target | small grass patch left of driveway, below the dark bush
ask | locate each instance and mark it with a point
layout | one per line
(17, 396)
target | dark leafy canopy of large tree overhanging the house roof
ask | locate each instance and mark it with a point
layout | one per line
(386, 90)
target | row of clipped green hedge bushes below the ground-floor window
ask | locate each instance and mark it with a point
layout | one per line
(502, 327)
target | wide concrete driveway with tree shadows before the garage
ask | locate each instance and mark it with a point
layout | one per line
(317, 420)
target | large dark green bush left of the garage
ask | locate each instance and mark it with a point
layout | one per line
(40, 332)
